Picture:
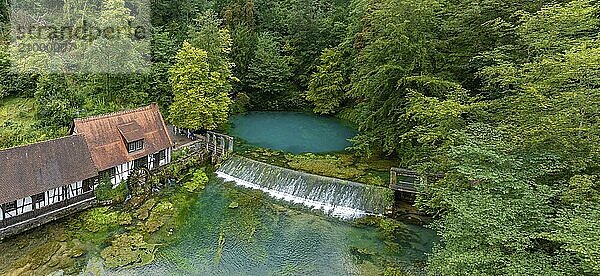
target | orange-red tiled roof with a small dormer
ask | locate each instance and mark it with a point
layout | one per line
(107, 135)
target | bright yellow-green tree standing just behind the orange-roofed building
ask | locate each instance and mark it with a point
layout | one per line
(201, 100)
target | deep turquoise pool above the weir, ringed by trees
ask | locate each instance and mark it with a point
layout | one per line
(294, 132)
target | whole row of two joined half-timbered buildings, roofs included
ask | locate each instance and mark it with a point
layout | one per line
(46, 179)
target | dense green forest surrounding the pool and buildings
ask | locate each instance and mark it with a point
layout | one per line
(497, 100)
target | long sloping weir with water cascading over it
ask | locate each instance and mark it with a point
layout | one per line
(339, 198)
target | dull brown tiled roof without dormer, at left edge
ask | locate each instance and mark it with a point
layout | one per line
(39, 167)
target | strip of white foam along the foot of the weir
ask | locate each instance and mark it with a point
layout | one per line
(334, 211)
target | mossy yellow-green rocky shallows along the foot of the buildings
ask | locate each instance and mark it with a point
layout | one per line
(126, 234)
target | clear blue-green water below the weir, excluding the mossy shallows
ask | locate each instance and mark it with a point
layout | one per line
(263, 238)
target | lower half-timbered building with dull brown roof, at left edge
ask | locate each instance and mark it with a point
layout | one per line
(44, 177)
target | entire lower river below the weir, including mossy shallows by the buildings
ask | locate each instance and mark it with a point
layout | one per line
(157, 235)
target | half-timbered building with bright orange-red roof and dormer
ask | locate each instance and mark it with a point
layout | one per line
(121, 142)
